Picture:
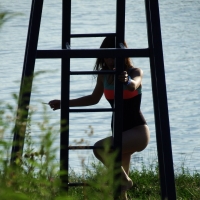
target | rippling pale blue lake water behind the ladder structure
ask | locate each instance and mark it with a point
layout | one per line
(180, 23)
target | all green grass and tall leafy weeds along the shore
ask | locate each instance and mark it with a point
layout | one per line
(36, 176)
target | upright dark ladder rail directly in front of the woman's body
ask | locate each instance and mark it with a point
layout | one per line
(118, 101)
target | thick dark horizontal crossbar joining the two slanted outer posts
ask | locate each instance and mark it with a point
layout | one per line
(92, 53)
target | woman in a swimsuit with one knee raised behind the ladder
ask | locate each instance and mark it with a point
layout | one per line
(135, 136)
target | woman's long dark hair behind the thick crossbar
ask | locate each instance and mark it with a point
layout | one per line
(109, 42)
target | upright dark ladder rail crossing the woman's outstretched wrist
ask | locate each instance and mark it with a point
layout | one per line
(65, 88)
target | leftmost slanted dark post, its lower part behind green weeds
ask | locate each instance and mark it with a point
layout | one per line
(27, 79)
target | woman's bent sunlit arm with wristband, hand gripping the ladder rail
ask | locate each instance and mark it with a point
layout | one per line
(133, 80)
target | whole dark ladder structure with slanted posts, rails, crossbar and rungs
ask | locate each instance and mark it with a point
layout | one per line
(155, 54)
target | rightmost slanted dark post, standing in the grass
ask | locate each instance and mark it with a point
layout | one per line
(160, 101)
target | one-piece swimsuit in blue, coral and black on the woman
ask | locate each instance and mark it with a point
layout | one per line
(132, 115)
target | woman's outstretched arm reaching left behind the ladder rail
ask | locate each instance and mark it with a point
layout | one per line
(86, 100)
